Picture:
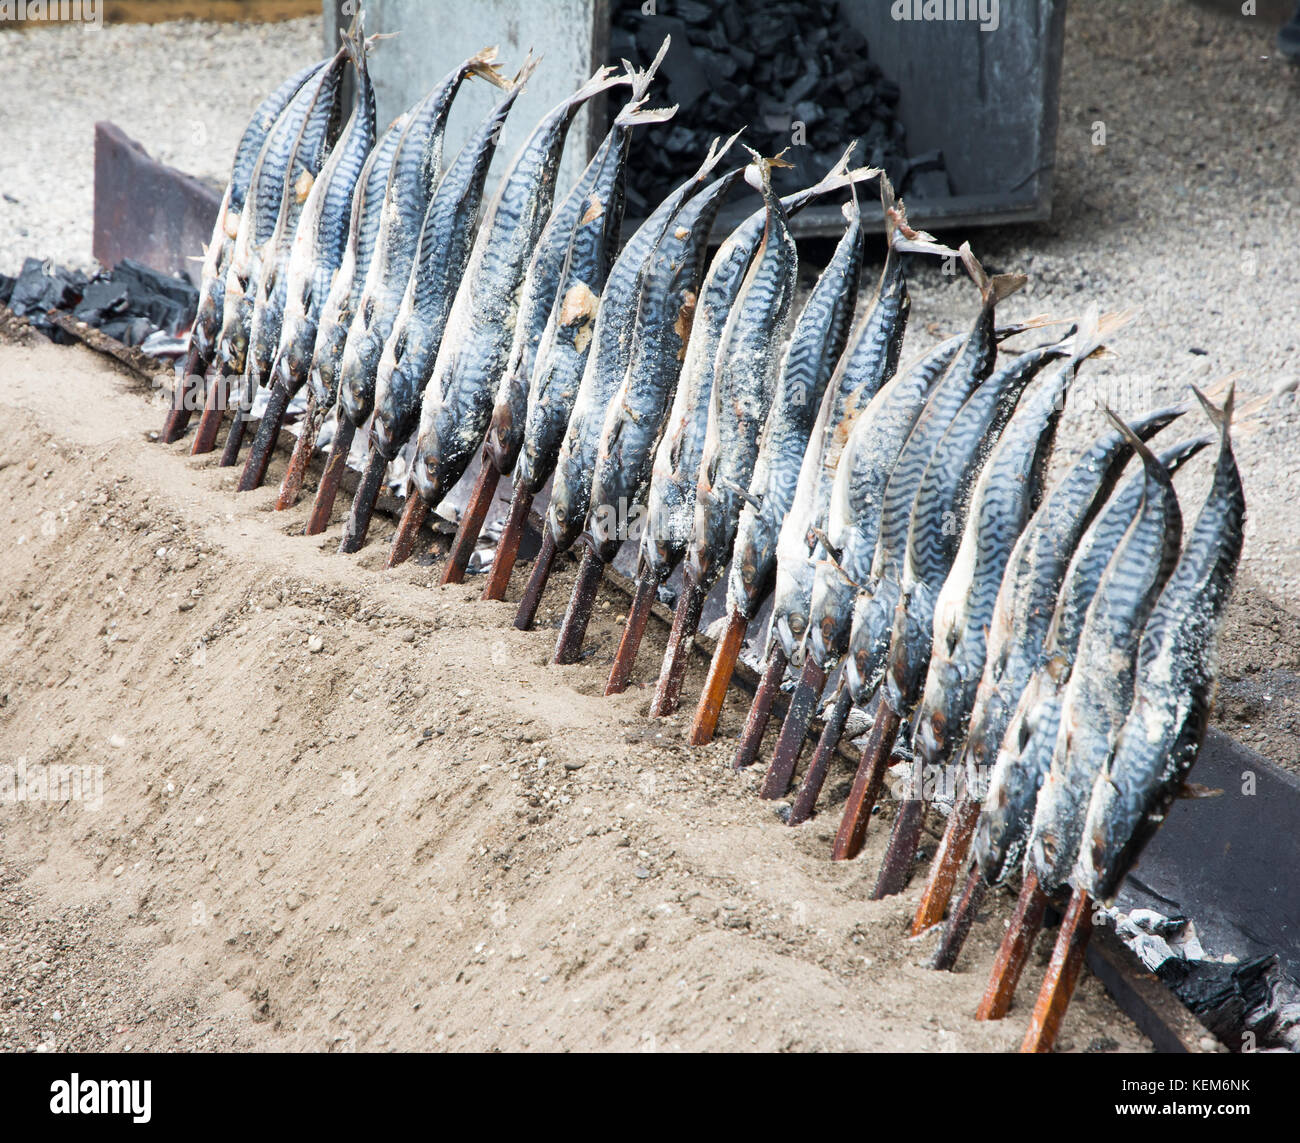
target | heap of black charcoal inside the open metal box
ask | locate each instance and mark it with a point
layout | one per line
(795, 73)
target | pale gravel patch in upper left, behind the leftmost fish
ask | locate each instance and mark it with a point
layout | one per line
(185, 90)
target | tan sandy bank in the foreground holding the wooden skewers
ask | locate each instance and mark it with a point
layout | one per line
(349, 809)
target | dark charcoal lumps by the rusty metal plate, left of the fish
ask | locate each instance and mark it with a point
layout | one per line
(129, 304)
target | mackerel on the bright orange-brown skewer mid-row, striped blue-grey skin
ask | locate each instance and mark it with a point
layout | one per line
(816, 347)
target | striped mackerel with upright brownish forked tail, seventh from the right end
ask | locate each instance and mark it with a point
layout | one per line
(877, 608)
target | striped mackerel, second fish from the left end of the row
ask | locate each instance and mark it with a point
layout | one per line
(261, 218)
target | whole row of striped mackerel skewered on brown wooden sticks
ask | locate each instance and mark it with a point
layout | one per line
(1048, 644)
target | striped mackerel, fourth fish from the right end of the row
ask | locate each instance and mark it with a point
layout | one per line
(1028, 598)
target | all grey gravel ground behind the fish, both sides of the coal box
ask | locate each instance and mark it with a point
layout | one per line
(1186, 214)
